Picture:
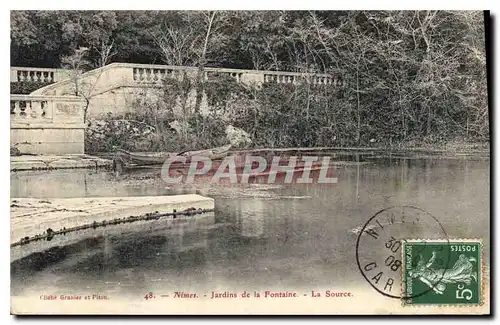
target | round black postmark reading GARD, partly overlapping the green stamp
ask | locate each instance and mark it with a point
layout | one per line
(380, 251)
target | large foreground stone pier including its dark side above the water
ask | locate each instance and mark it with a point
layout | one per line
(34, 216)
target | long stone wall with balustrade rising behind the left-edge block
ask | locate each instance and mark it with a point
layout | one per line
(116, 88)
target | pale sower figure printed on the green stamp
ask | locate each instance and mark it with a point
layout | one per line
(461, 272)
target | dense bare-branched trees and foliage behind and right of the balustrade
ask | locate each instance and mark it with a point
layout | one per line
(407, 74)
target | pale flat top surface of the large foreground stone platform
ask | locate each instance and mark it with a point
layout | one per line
(34, 216)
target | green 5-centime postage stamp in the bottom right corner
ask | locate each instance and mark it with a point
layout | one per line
(442, 272)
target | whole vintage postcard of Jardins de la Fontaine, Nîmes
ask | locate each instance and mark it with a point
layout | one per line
(249, 162)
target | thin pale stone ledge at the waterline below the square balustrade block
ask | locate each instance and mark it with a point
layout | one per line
(42, 162)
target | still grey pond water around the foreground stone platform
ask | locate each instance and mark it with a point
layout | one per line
(260, 237)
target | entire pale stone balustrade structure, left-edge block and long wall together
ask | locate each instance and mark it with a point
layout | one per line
(50, 119)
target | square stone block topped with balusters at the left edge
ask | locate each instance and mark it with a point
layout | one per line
(47, 124)
